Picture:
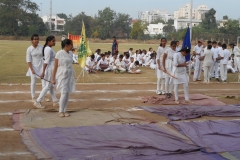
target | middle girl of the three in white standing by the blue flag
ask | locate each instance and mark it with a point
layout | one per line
(168, 67)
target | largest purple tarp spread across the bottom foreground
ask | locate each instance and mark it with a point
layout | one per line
(140, 142)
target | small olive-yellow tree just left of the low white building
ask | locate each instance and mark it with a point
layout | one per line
(137, 31)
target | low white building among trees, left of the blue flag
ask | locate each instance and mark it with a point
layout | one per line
(155, 29)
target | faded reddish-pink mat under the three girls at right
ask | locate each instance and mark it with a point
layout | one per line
(197, 99)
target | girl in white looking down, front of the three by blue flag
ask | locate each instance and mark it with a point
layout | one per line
(180, 72)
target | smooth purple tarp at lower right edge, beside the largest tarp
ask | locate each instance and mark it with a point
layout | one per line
(212, 136)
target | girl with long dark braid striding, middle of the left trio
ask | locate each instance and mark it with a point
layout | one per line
(49, 57)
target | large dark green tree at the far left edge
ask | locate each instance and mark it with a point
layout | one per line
(16, 16)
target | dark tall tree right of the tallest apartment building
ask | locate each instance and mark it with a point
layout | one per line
(209, 22)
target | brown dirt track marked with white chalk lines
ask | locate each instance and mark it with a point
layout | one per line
(14, 97)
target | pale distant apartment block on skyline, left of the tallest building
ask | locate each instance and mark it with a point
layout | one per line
(150, 16)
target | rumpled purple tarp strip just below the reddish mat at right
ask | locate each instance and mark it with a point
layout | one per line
(176, 113)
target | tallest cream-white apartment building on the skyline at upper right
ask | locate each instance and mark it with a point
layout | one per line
(184, 12)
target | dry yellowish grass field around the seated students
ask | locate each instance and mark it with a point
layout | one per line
(13, 66)
